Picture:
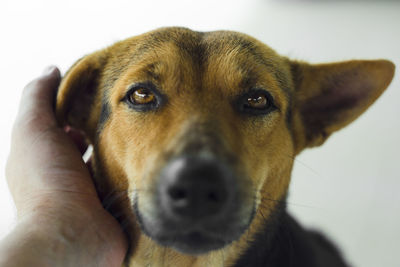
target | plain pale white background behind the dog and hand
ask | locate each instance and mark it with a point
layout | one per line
(349, 188)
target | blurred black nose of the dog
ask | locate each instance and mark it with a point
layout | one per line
(195, 188)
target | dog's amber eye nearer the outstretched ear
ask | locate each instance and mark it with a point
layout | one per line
(256, 102)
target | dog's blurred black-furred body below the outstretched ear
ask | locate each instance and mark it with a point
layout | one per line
(283, 242)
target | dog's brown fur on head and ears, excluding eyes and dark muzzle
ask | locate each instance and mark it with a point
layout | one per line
(202, 73)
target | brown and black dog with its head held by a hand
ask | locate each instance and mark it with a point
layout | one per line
(194, 136)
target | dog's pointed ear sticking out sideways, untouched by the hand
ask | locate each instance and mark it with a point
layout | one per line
(329, 96)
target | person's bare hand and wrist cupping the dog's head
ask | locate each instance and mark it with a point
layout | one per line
(61, 221)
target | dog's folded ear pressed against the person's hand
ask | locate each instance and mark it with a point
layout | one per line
(78, 93)
